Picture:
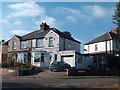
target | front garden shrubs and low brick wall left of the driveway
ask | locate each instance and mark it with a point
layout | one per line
(19, 69)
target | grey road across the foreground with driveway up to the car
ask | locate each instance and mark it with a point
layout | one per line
(48, 79)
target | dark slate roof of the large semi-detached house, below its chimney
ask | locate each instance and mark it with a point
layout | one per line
(41, 34)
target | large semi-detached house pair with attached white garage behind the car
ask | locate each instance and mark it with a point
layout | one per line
(42, 46)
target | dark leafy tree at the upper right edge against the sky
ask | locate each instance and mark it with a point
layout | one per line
(116, 18)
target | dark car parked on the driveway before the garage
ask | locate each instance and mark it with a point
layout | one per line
(59, 66)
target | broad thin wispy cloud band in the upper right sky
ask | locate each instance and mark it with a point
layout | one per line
(85, 12)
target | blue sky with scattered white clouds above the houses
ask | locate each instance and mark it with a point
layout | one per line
(84, 20)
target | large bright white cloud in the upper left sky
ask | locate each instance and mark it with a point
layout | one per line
(28, 9)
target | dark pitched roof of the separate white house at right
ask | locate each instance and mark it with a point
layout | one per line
(104, 37)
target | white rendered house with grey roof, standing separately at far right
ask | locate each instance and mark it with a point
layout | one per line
(106, 43)
